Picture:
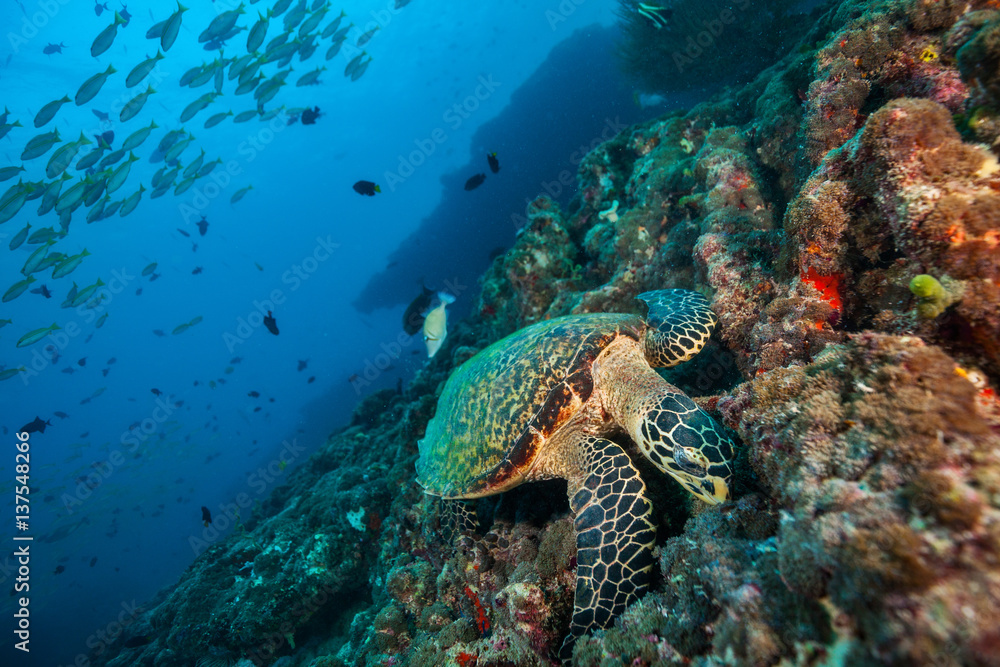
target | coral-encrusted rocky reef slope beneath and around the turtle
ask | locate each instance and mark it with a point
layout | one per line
(865, 527)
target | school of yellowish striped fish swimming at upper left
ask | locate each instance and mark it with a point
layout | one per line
(89, 178)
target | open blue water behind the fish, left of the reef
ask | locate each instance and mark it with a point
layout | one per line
(121, 479)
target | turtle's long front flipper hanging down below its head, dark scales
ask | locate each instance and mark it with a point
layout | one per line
(614, 537)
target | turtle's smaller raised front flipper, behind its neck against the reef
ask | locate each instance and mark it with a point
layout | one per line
(679, 323)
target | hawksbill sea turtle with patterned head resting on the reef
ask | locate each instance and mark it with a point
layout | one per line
(538, 405)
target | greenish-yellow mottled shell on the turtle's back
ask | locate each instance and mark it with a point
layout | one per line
(499, 408)
